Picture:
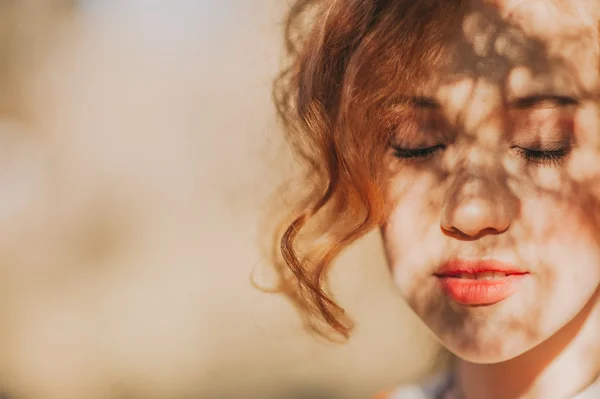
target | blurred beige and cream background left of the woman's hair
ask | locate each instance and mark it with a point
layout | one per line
(139, 157)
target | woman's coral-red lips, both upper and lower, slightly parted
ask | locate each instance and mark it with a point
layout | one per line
(469, 291)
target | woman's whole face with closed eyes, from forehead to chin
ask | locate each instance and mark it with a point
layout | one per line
(493, 235)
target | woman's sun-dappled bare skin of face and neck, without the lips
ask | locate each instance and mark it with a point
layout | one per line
(490, 203)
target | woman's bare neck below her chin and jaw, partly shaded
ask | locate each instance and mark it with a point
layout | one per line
(561, 367)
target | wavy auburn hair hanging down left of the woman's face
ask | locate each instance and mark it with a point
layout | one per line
(347, 59)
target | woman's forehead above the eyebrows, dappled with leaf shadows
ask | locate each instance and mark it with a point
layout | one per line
(524, 46)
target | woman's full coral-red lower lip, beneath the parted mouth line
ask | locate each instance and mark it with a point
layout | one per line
(480, 292)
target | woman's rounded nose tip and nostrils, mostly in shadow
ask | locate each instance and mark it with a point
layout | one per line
(477, 206)
